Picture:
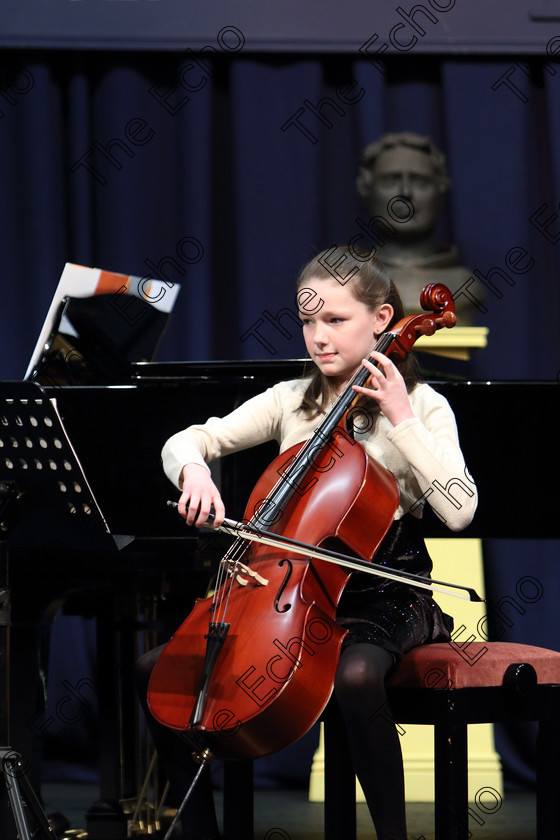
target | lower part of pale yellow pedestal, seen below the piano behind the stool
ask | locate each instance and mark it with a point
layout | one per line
(460, 561)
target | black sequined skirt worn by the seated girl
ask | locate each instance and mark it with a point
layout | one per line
(396, 616)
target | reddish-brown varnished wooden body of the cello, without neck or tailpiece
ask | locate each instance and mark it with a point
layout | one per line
(275, 671)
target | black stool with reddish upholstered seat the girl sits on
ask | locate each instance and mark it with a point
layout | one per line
(450, 686)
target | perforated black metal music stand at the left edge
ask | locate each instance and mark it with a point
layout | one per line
(45, 502)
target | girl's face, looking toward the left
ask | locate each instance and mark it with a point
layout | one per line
(339, 330)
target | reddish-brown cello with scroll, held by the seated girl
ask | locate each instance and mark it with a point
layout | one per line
(252, 667)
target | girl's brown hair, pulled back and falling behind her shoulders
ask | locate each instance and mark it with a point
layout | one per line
(369, 281)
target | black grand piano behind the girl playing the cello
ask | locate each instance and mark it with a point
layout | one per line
(117, 431)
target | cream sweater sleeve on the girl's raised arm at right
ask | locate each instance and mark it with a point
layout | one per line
(430, 443)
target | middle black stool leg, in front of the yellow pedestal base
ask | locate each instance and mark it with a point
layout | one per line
(451, 780)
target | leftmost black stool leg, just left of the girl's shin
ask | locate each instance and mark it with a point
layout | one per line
(340, 781)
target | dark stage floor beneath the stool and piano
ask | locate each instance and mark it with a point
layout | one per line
(287, 815)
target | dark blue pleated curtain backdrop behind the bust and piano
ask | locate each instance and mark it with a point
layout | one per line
(125, 161)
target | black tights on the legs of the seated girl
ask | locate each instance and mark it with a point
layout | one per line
(373, 738)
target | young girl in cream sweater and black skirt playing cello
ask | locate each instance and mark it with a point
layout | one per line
(411, 431)
